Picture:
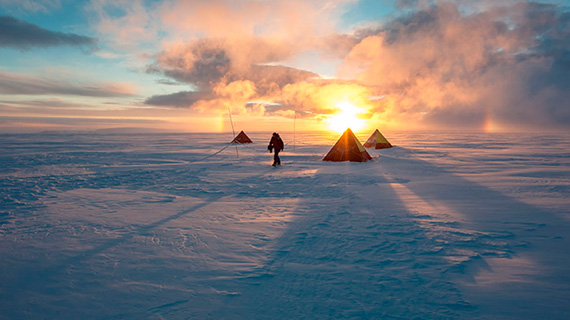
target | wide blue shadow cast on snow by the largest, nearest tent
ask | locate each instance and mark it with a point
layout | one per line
(357, 252)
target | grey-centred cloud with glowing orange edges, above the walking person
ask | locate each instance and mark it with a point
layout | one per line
(213, 65)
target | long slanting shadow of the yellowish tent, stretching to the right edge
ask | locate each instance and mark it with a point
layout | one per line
(484, 208)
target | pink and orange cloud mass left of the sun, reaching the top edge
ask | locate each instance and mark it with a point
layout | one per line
(219, 46)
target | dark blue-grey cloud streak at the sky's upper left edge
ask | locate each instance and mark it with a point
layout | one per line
(19, 34)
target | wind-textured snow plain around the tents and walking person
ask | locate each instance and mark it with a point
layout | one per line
(161, 226)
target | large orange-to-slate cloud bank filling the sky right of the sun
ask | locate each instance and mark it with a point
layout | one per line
(442, 66)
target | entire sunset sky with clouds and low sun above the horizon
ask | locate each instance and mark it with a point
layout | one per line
(284, 65)
